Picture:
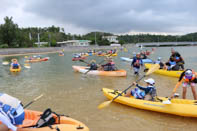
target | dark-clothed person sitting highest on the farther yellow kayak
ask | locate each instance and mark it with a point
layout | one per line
(178, 59)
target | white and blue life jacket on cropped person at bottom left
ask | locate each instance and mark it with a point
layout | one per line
(8, 106)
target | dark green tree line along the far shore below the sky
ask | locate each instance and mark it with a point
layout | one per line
(11, 36)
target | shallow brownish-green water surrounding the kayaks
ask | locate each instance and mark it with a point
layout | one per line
(78, 95)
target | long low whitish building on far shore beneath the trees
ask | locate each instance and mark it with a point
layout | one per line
(74, 43)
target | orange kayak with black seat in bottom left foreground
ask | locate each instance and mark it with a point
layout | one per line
(63, 124)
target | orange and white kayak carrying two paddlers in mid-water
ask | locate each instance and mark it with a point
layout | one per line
(83, 69)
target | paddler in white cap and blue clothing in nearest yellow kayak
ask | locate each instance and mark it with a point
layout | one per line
(148, 93)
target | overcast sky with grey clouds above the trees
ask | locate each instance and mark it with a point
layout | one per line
(116, 16)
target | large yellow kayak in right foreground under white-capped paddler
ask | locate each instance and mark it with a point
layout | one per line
(180, 107)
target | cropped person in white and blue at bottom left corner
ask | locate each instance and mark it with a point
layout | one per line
(11, 112)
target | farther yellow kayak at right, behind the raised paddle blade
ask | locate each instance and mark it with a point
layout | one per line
(165, 72)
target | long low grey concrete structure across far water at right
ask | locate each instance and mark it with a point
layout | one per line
(166, 44)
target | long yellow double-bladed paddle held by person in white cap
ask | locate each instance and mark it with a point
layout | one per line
(151, 70)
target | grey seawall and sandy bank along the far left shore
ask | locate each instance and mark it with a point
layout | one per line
(46, 50)
